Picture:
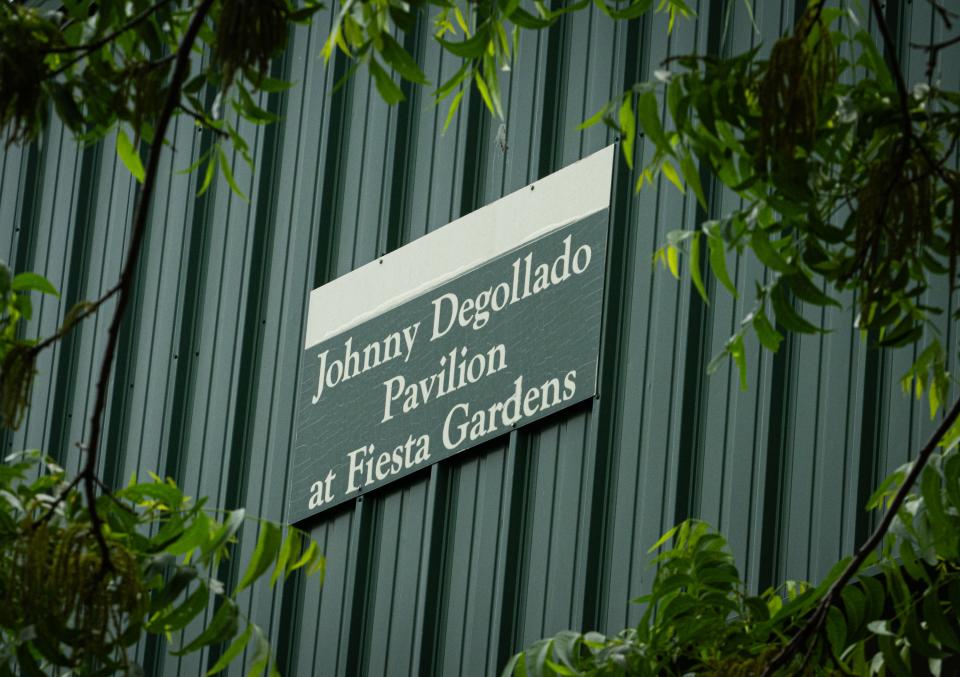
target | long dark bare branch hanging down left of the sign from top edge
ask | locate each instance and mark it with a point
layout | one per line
(124, 286)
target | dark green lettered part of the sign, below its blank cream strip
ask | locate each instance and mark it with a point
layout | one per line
(504, 344)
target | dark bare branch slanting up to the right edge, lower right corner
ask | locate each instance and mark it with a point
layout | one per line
(815, 622)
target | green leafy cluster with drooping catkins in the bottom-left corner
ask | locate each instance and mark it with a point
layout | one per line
(65, 606)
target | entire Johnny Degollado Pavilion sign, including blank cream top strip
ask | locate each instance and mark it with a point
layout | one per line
(424, 371)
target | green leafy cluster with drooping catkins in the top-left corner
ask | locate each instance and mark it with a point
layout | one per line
(106, 67)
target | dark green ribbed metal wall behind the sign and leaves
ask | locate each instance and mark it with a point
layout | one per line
(546, 528)
